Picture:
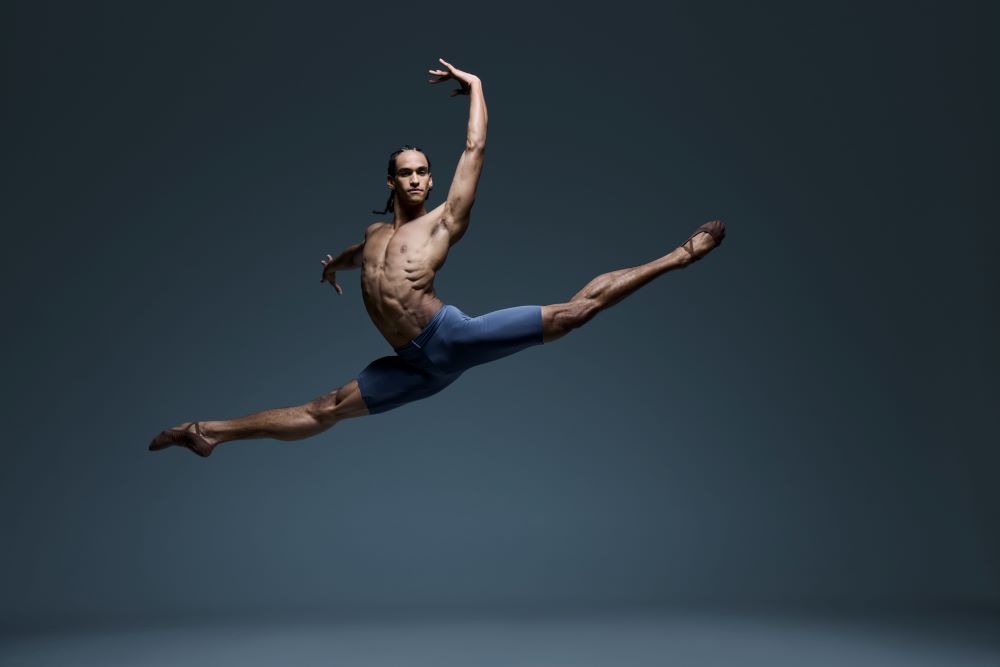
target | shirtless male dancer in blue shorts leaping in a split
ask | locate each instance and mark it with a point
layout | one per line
(434, 342)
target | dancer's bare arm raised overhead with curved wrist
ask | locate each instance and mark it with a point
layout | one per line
(462, 194)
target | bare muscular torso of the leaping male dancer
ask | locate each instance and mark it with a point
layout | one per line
(397, 275)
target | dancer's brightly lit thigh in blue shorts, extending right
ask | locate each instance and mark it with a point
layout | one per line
(465, 342)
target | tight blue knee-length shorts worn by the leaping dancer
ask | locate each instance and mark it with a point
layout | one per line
(451, 343)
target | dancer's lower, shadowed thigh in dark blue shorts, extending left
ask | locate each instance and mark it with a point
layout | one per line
(389, 382)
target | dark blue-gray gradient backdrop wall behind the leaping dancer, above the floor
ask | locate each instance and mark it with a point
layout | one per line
(806, 418)
